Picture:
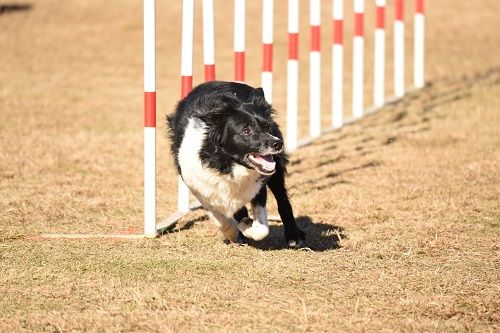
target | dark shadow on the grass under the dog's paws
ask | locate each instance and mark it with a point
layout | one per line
(319, 236)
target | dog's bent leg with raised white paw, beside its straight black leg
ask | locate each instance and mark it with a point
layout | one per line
(257, 229)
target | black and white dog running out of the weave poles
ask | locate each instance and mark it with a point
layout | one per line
(227, 148)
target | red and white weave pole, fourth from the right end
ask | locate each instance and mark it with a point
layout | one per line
(358, 58)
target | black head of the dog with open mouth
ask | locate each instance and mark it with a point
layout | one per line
(240, 125)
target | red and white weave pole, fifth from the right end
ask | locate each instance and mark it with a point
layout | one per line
(338, 64)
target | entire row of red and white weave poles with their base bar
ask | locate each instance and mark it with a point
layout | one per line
(151, 228)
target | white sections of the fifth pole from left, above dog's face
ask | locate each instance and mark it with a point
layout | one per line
(267, 38)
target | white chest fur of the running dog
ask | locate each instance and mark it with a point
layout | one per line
(224, 193)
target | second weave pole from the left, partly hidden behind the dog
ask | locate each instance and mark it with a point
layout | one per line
(186, 82)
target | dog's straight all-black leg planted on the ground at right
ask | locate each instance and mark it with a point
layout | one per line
(293, 235)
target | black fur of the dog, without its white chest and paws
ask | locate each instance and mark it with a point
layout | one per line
(239, 122)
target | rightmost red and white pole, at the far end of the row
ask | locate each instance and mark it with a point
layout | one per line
(419, 45)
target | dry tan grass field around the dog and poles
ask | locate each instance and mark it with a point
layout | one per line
(401, 209)
